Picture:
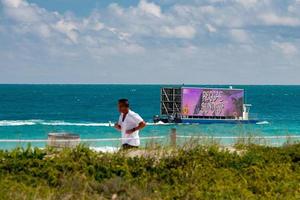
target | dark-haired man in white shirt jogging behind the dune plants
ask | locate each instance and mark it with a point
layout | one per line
(129, 124)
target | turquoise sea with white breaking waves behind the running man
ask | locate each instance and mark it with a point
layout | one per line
(32, 111)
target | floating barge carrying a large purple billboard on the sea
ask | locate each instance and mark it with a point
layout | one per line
(190, 105)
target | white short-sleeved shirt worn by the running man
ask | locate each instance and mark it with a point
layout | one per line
(131, 121)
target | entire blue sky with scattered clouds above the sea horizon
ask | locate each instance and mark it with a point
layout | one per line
(143, 41)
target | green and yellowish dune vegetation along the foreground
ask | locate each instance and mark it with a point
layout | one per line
(197, 172)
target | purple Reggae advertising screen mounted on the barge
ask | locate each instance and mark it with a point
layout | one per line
(212, 102)
